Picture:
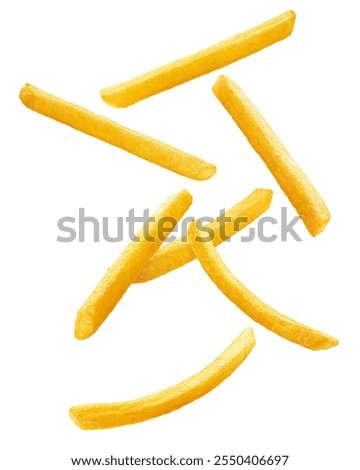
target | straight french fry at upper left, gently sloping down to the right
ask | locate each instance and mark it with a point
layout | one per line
(109, 131)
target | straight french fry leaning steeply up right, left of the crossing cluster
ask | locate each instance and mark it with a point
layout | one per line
(127, 267)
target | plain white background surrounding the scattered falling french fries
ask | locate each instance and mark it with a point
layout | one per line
(284, 399)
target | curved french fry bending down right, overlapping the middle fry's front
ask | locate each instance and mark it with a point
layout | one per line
(241, 296)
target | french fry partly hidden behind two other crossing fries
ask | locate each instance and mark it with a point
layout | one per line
(179, 252)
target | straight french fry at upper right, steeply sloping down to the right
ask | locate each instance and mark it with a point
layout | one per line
(292, 180)
